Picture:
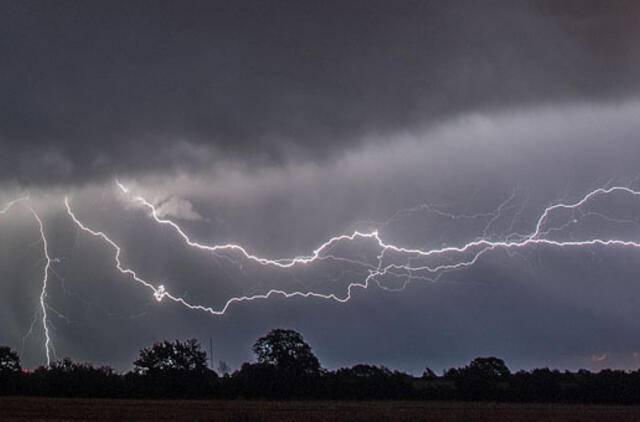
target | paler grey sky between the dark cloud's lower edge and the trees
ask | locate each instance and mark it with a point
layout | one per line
(539, 307)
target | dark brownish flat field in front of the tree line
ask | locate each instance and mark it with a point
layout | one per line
(45, 409)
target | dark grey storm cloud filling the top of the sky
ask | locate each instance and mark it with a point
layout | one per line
(97, 88)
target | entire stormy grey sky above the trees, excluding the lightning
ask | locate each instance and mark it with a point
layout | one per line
(278, 125)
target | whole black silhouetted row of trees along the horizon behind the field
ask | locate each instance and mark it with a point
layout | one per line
(286, 368)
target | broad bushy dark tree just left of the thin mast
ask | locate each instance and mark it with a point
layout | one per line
(168, 356)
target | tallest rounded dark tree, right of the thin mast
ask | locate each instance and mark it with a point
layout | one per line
(286, 350)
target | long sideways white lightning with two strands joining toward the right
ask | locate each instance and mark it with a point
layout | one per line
(460, 254)
